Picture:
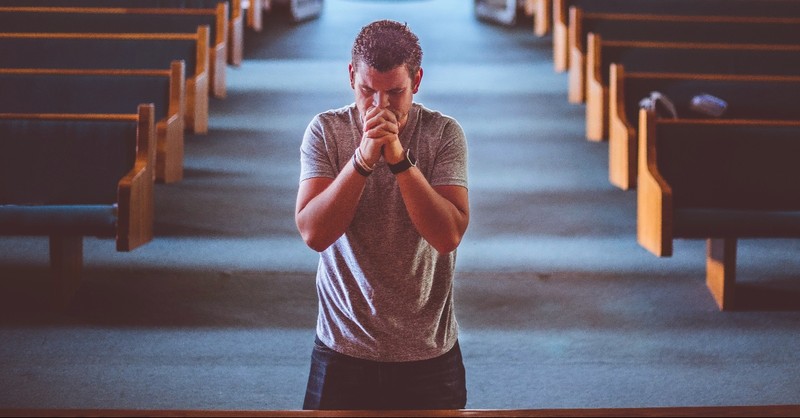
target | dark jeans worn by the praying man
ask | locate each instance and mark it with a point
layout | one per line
(337, 381)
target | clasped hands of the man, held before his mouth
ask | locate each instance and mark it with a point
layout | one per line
(381, 136)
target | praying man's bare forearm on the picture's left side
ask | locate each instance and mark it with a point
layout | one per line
(325, 207)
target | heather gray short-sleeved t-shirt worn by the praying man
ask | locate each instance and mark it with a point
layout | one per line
(385, 294)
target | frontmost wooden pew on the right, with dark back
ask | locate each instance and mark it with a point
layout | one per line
(718, 180)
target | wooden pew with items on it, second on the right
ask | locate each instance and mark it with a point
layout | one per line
(748, 97)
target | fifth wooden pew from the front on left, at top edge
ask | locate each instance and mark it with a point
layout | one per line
(235, 19)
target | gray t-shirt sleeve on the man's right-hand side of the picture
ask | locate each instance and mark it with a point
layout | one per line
(450, 168)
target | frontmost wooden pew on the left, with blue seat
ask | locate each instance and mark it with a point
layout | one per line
(70, 176)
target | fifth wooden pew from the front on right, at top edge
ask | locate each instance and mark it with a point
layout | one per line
(557, 12)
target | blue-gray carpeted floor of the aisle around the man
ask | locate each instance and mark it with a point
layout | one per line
(558, 305)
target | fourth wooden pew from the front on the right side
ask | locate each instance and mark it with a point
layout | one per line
(669, 28)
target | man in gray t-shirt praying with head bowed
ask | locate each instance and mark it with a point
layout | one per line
(383, 198)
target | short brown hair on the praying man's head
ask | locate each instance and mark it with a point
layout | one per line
(386, 44)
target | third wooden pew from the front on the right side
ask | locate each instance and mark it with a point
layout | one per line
(674, 57)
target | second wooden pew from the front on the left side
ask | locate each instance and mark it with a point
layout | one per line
(54, 91)
